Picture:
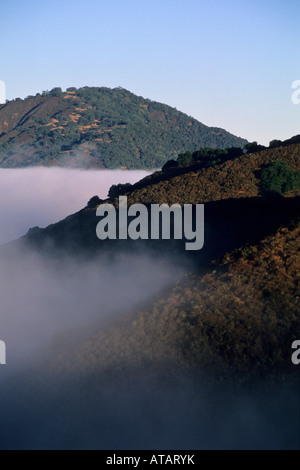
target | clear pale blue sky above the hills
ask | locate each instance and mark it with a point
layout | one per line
(228, 63)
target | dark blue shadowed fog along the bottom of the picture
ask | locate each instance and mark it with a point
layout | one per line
(145, 412)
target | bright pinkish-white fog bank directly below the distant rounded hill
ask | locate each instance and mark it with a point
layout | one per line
(40, 196)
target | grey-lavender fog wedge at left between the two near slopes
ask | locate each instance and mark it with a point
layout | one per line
(42, 297)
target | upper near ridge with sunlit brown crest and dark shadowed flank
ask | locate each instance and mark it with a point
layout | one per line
(228, 189)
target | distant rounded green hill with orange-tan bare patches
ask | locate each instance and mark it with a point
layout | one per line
(94, 127)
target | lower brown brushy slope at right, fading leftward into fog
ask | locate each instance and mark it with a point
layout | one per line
(241, 317)
